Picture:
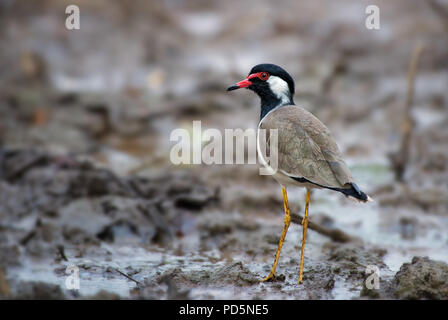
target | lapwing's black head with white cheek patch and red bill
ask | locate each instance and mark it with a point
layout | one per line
(272, 83)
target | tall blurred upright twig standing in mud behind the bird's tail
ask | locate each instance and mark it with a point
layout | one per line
(399, 159)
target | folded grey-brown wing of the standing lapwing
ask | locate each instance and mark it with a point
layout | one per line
(306, 148)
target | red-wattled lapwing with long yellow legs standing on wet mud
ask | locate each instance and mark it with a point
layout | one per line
(306, 152)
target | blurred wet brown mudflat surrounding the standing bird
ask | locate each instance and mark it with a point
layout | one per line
(85, 174)
